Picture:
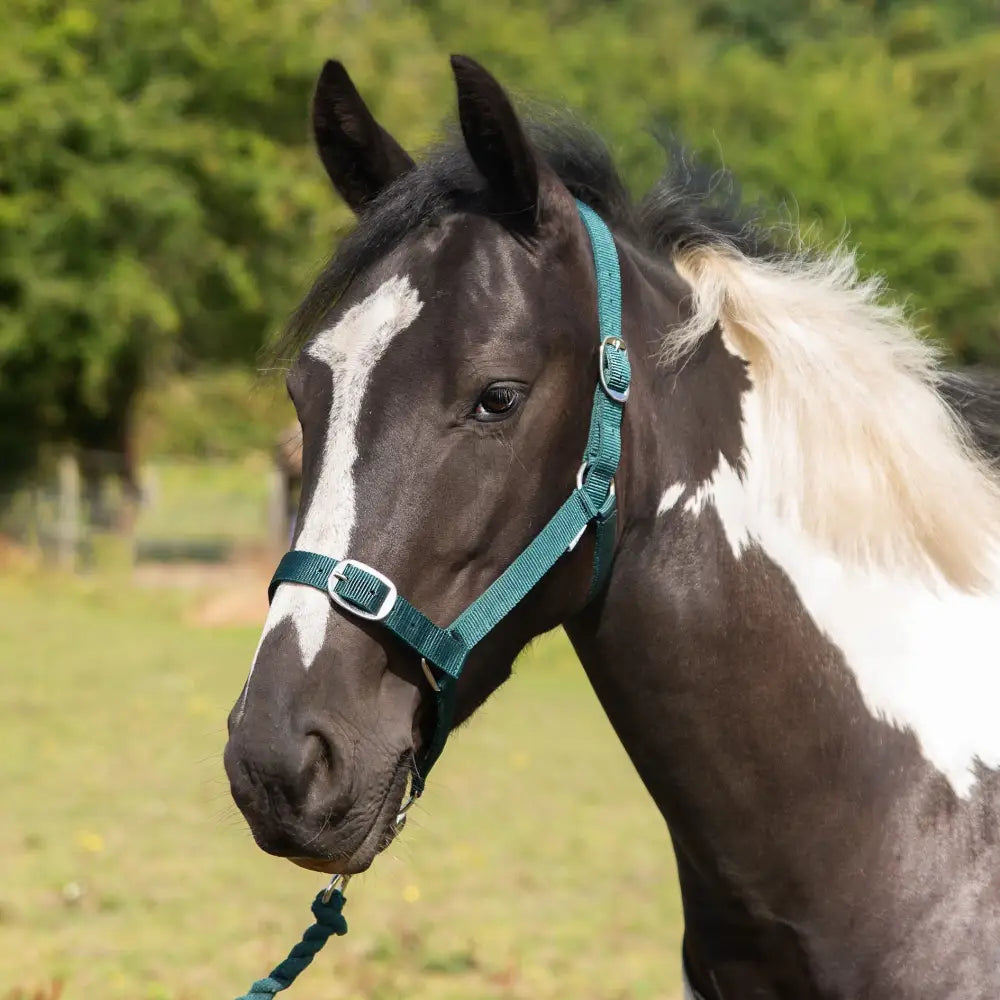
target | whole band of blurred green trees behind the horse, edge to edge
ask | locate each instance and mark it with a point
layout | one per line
(160, 207)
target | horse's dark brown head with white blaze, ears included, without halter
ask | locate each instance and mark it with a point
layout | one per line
(447, 366)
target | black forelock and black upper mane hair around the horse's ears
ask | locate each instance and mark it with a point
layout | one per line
(690, 205)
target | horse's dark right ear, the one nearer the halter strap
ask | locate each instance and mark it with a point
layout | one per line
(497, 144)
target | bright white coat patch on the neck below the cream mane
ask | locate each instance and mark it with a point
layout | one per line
(925, 655)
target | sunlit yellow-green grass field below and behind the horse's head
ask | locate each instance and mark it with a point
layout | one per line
(534, 867)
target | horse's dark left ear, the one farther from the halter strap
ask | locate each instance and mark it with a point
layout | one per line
(360, 157)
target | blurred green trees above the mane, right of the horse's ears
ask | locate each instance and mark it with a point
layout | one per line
(837, 132)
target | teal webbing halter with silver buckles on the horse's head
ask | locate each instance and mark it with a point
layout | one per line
(365, 593)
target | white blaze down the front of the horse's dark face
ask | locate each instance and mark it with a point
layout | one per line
(351, 348)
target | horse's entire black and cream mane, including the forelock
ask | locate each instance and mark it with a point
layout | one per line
(872, 446)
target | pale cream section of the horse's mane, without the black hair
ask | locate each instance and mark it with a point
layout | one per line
(861, 449)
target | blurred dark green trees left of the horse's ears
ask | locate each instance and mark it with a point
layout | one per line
(159, 206)
